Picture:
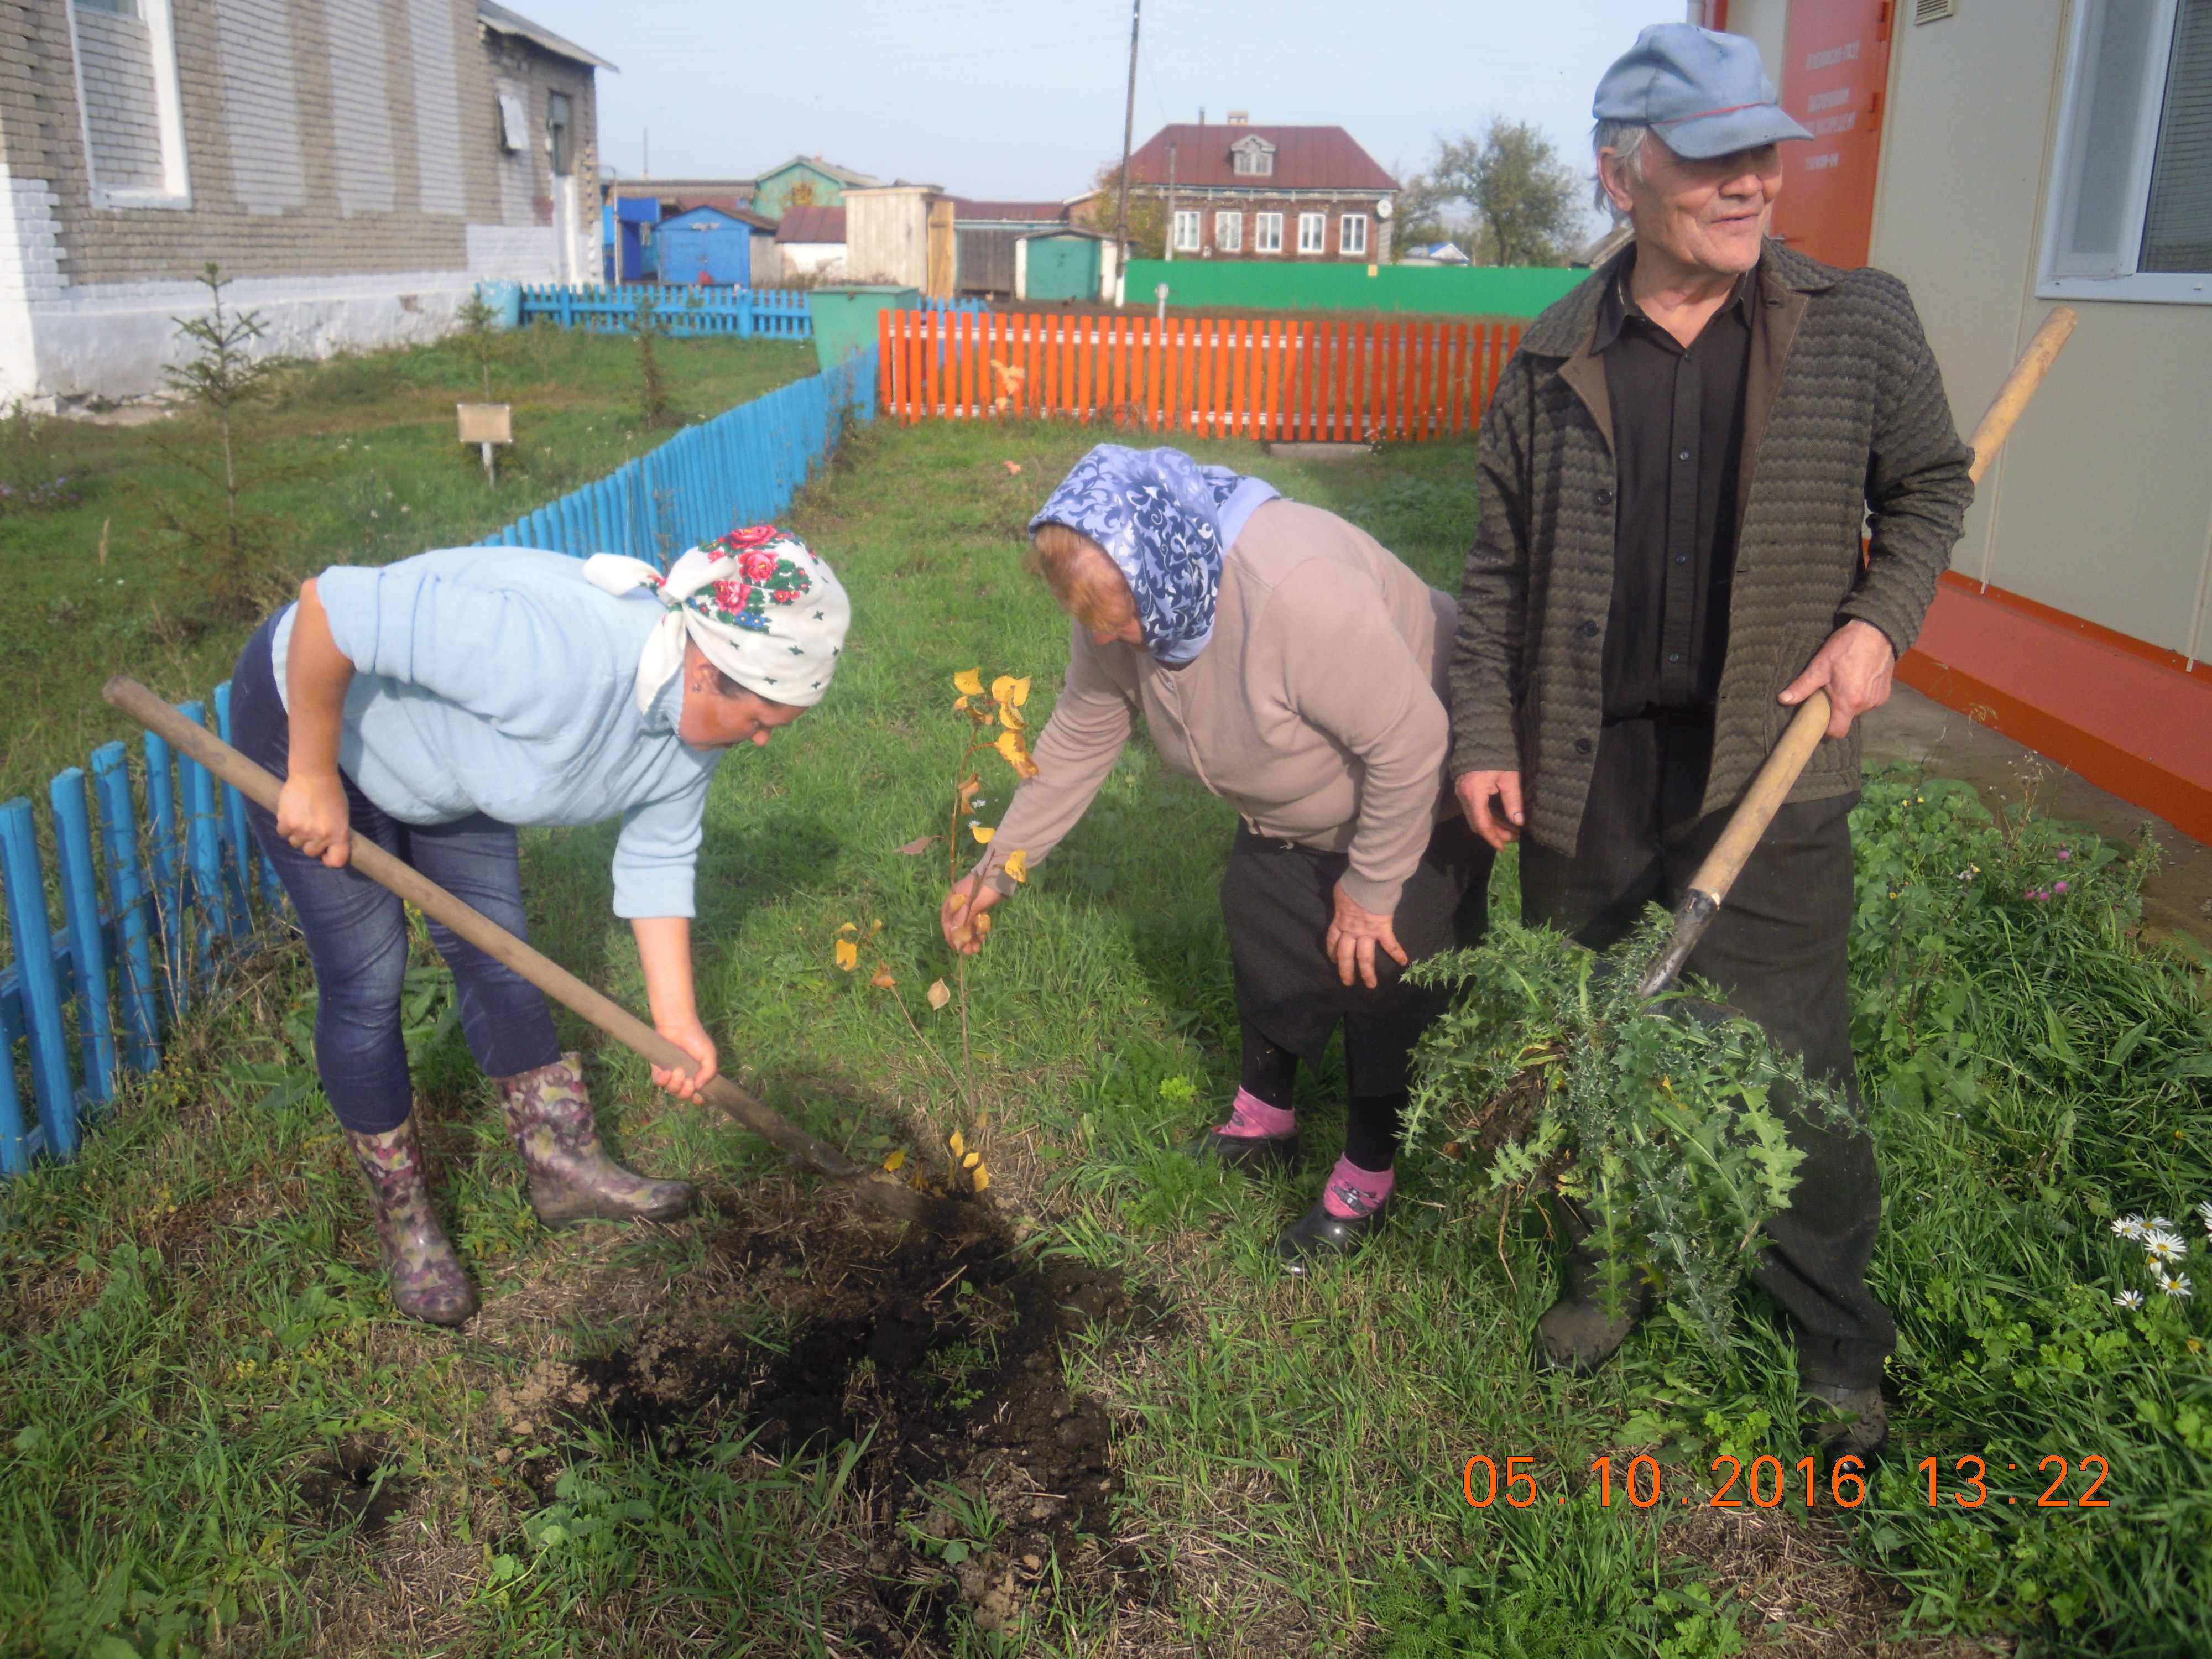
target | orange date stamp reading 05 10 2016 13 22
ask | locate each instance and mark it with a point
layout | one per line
(1771, 1483)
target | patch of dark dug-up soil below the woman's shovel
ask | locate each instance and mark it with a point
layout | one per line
(943, 1353)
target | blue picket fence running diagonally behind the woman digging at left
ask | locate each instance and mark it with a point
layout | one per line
(158, 886)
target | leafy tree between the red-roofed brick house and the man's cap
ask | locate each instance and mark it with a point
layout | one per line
(1521, 202)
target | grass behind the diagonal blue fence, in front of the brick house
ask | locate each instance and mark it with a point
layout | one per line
(364, 470)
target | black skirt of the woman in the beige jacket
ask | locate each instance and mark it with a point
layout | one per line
(1277, 901)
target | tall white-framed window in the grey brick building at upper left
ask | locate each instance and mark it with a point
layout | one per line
(129, 109)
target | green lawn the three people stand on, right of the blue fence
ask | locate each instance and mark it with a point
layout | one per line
(194, 1317)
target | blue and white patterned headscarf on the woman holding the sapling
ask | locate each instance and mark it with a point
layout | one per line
(1165, 521)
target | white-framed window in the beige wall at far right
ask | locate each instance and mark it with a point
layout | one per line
(2133, 174)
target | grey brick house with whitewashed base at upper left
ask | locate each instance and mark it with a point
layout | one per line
(355, 165)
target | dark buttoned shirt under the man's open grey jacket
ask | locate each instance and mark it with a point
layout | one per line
(1678, 446)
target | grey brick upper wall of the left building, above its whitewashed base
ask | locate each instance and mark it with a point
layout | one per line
(322, 138)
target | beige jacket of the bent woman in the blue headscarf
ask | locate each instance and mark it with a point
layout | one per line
(1317, 709)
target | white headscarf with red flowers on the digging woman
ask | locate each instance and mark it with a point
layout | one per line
(758, 603)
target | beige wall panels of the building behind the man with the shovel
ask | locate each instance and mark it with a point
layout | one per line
(2103, 499)
